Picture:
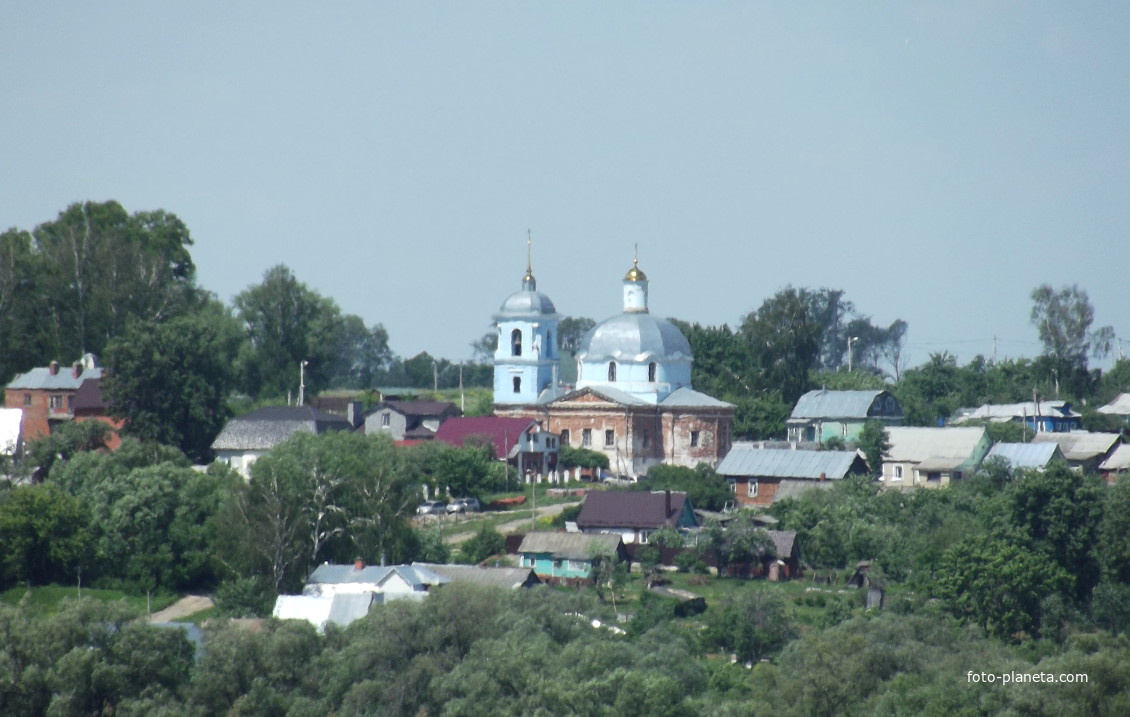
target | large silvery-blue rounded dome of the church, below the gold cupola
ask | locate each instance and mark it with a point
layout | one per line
(634, 337)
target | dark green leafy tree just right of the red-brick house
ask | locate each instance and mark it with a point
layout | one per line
(171, 380)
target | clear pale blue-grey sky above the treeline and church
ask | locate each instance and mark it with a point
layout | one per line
(935, 161)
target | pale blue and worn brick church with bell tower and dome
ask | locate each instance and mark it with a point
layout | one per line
(633, 398)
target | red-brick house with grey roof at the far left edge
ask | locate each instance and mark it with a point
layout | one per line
(47, 396)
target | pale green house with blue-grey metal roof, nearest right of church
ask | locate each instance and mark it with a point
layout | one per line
(822, 415)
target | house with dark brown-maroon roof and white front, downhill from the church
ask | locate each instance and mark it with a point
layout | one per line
(636, 515)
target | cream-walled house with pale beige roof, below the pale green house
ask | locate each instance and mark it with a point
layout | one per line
(933, 458)
